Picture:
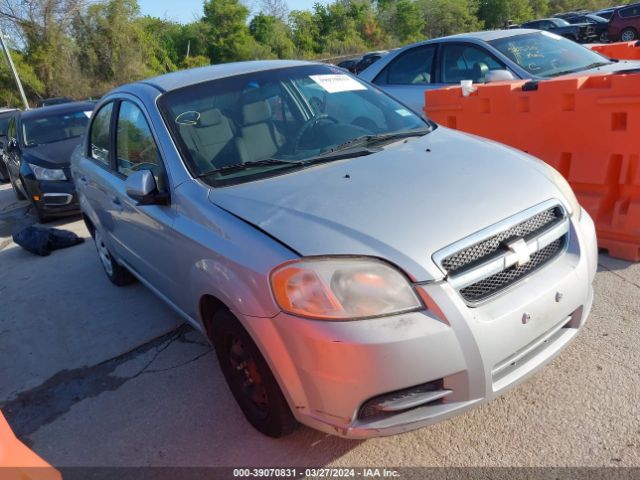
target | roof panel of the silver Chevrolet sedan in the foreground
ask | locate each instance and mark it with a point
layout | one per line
(183, 78)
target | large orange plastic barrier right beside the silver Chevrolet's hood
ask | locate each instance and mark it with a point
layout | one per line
(588, 128)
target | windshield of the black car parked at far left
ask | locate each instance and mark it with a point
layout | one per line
(54, 128)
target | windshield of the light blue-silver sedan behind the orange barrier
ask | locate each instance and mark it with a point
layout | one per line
(545, 54)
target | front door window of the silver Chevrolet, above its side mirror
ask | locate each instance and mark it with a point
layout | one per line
(135, 146)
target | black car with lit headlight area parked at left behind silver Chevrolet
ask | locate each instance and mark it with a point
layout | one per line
(38, 153)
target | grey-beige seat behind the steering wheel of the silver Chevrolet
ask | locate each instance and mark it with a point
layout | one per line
(259, 138)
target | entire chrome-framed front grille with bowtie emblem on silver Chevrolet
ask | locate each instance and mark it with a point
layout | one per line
(481, 266)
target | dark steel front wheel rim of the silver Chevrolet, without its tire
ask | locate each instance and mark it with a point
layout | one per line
(247, 377)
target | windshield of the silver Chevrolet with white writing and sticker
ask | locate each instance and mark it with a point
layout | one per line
(249, 126)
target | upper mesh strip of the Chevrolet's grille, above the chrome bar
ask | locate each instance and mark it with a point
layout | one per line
(479, 251)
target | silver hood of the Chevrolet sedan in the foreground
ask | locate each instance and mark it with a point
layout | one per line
(401, 204)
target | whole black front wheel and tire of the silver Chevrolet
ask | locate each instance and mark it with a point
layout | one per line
(249, 377)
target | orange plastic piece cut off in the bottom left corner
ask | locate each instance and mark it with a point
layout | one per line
(17, 462)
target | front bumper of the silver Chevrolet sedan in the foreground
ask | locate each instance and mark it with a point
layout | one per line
(328, 370)
